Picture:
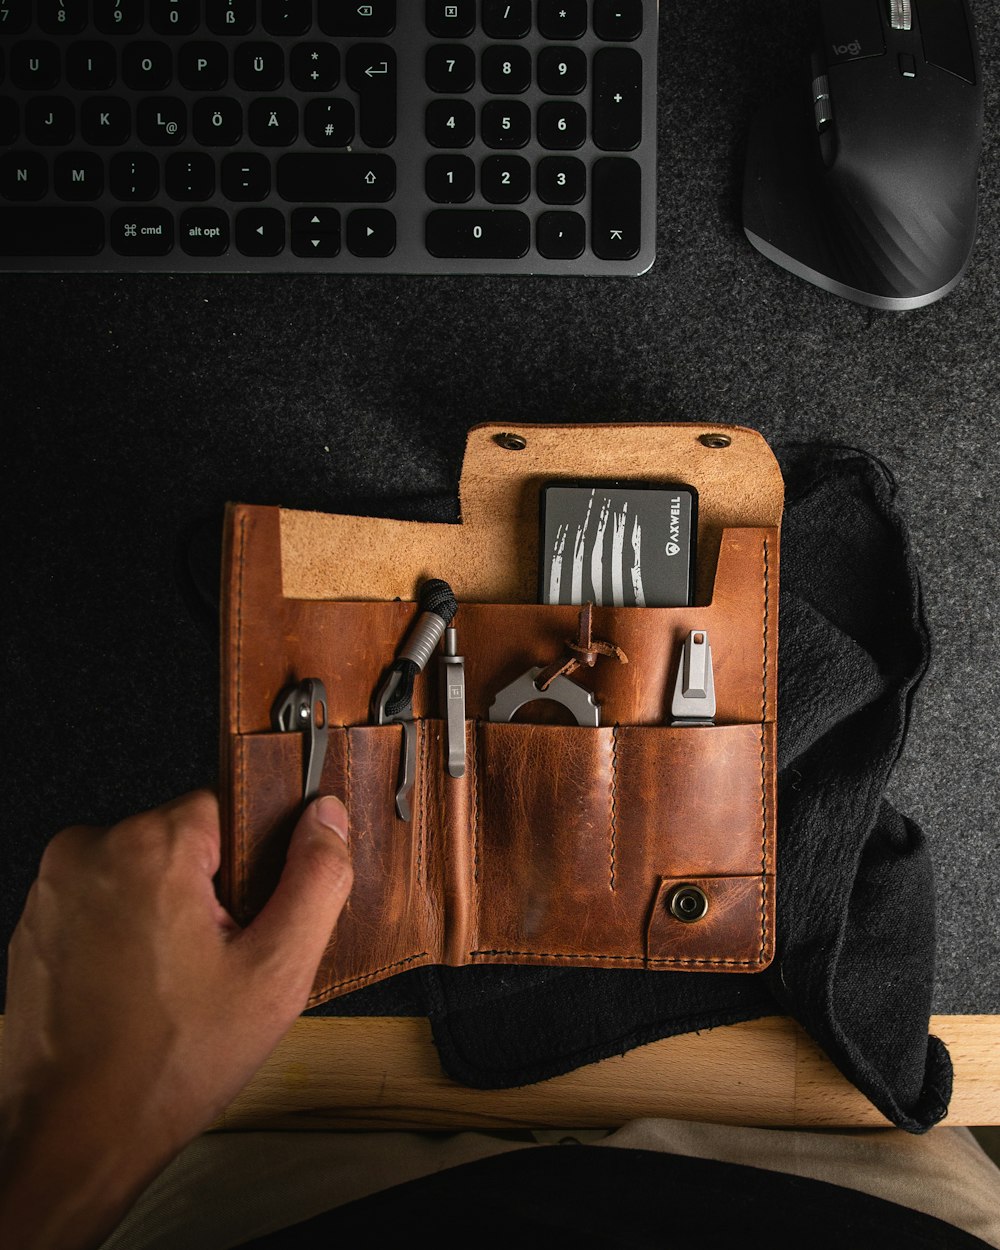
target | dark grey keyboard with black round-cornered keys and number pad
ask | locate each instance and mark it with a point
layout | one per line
(513, 137)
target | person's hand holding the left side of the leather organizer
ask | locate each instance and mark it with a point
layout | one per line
(138, 1009)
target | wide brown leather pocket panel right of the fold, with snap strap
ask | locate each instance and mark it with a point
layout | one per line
(578, 829)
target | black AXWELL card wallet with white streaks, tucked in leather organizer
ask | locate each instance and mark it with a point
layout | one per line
(627, 544)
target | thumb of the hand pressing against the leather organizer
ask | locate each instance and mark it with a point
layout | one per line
(316, 883)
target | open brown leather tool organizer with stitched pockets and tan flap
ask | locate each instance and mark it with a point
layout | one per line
(562, 844)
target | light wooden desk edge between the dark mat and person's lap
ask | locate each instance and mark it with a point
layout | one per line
(384, 1073)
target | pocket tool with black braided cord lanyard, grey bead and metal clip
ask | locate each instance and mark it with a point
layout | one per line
(394, 699)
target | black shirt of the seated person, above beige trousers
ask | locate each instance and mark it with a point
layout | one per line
(593, 1197)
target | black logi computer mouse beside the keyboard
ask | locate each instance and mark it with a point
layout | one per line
(866, 182)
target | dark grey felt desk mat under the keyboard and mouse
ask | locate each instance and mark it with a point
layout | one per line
(136, 407)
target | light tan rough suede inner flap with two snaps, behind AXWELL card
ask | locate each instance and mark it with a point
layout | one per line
(493, 556)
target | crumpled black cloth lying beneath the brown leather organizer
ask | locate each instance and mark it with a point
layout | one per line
(856, 923)
